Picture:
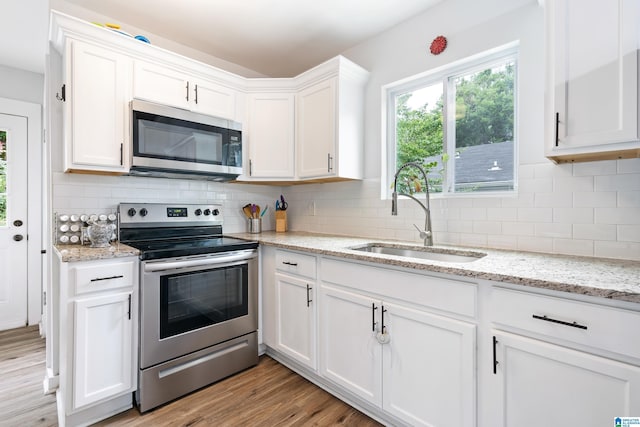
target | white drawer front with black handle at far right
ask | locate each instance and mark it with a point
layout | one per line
(588, 324)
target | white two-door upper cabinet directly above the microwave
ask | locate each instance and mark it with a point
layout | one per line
(164, 85)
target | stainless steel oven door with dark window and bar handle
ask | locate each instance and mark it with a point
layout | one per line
(191, 303)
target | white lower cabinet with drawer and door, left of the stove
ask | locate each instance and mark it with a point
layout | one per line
(98, 349)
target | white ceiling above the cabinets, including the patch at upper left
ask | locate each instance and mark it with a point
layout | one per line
(276, 38)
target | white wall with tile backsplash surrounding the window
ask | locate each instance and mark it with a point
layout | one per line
(590, 209)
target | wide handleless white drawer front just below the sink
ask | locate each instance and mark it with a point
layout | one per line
(452, 296)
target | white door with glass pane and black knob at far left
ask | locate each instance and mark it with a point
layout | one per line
(13, 221)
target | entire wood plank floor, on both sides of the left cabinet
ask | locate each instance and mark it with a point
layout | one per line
(266, 395)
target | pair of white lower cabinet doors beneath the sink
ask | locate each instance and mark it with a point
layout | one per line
(416, 366)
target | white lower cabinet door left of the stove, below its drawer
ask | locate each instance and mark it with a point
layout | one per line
(103, 352)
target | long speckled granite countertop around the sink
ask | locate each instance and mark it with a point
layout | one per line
(605, 278)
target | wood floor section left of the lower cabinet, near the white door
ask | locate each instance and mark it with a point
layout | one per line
(22, 368)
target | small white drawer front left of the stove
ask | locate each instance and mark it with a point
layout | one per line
(103, 275)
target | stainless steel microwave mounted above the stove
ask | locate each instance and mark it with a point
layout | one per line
(172, 142)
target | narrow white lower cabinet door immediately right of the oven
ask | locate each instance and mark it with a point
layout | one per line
(295, 319)
